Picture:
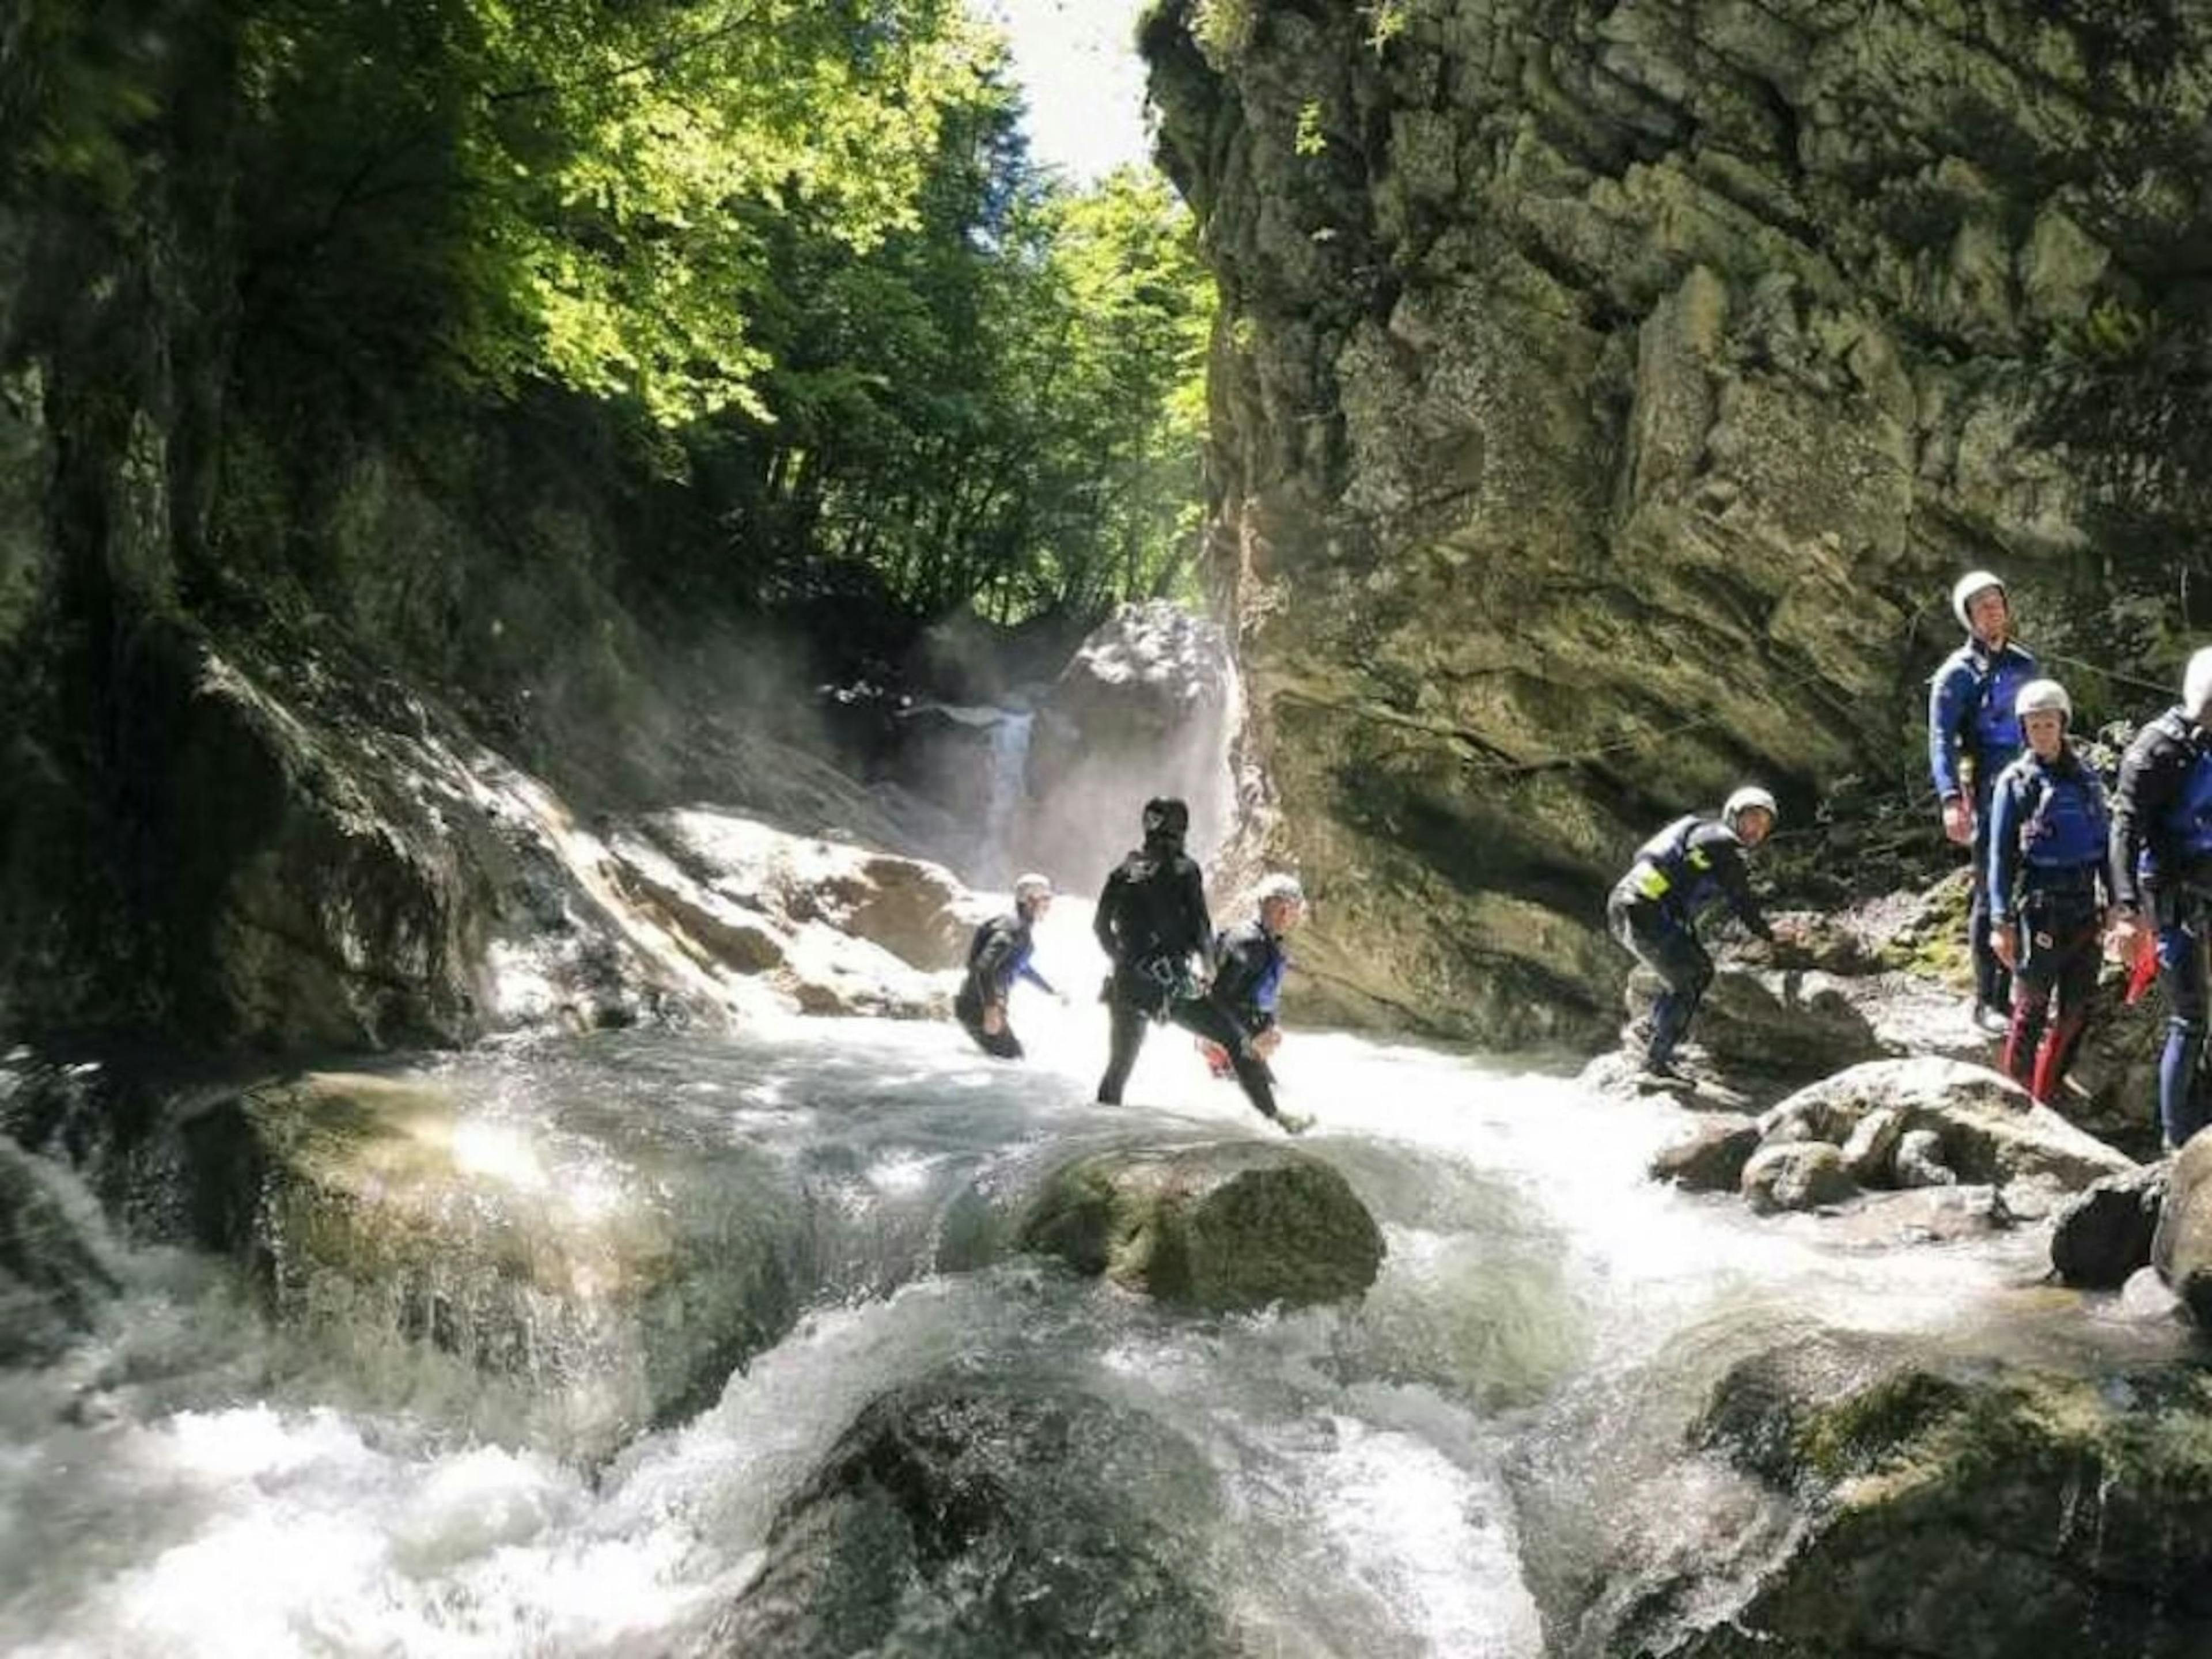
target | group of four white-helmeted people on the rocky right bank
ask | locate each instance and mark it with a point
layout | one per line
(2063, 870)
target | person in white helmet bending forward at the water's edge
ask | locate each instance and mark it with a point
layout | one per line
(1680, 875)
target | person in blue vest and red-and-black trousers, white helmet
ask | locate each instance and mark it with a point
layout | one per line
(2049, 835)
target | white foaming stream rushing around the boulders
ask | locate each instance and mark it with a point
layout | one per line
(1395, 1479)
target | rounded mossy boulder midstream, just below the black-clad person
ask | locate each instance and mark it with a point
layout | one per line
(1224, 1227)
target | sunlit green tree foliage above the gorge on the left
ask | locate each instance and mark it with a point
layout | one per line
(795, 244)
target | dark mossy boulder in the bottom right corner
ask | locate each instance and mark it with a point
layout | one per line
(1952, 1510)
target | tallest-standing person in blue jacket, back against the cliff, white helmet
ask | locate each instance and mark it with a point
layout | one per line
(1974, 735)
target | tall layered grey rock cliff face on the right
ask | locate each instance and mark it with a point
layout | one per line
(1607, 397)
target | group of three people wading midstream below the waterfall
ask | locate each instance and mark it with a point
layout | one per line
(1169, 963)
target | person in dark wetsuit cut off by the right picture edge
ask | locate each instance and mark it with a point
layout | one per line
(2160, 866)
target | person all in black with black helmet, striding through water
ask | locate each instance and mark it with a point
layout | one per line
(1151, 921)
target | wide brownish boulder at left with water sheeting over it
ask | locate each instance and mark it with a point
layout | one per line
(603, 1288)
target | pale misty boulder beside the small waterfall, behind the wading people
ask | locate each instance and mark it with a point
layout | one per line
(1142, 709)
